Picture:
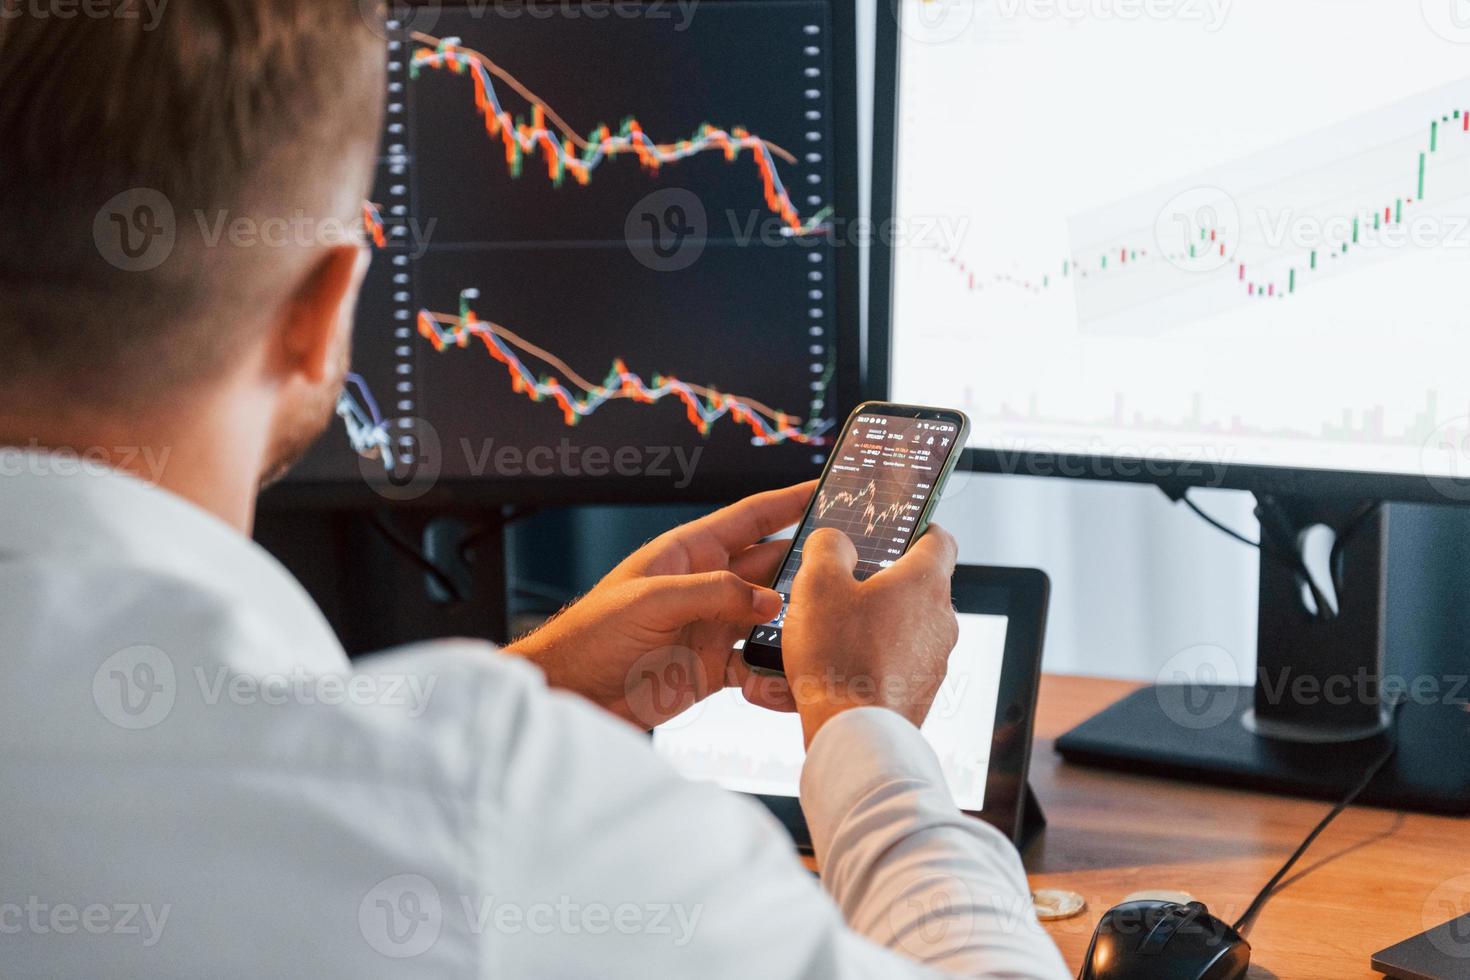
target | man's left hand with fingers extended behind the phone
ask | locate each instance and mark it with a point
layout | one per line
(658, 634)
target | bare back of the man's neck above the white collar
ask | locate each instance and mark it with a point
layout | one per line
(208, 456)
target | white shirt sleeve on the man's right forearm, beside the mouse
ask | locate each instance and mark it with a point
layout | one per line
(908, 869)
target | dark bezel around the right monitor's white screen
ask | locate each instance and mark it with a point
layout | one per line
(1172, 475)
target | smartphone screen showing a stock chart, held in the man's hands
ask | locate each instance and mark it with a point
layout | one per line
(883, 474)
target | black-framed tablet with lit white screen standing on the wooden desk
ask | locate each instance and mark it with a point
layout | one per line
(980, 727)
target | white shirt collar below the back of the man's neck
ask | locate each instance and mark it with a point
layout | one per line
(61, 508)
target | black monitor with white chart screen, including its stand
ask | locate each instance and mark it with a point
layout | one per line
(1190, 245)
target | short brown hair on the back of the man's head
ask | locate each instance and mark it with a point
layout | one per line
(220, 108)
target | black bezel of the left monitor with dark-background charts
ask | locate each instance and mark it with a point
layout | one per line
(850, 381)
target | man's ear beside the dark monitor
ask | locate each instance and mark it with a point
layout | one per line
(321, 312)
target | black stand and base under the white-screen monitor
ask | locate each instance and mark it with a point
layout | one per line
(1316, 716)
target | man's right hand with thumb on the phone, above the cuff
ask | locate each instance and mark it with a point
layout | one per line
(881, 643)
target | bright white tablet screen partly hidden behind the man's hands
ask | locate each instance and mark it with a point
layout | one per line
(728, 741)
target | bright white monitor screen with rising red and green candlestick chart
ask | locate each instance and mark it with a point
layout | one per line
(1216, 231)
